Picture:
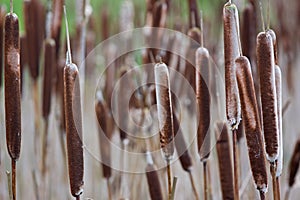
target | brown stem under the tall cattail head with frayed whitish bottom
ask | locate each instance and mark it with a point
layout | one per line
(236, 164)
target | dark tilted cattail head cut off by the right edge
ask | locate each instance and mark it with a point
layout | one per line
(294, 164)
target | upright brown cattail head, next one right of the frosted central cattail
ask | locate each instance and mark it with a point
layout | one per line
(203, 102)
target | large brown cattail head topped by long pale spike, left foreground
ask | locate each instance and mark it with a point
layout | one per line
(73, 122)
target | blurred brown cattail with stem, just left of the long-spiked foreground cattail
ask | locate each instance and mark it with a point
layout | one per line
(49, 64)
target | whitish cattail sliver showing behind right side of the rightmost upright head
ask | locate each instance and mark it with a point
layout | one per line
(278, 83)
